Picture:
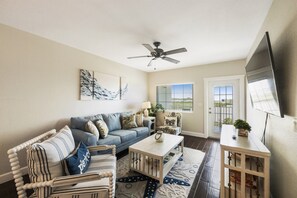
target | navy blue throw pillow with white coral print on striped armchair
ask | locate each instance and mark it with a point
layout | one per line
(78, 161)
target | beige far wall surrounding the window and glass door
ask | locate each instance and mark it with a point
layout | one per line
(194, 122)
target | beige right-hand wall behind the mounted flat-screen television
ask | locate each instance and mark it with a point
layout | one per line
(281, 23)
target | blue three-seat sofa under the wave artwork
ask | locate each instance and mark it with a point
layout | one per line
(122, 138)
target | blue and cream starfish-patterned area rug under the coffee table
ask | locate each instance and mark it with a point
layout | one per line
(177, 183)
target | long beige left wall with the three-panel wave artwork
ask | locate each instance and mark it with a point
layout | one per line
(39, 83)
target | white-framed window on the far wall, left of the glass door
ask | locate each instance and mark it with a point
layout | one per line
(178, 97)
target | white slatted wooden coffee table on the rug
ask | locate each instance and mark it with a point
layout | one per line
(155, 159)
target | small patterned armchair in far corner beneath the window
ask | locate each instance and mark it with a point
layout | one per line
(169, 122)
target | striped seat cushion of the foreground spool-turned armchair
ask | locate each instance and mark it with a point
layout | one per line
(97, 188)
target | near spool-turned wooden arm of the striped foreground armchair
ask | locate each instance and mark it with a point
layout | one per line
(69, 180)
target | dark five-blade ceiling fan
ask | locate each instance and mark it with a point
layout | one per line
(159, 53)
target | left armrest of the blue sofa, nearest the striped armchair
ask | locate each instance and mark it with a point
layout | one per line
(81, 136)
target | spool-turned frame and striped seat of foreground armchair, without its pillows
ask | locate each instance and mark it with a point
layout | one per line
(97, 181)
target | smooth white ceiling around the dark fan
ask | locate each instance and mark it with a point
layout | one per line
(211, 30)
